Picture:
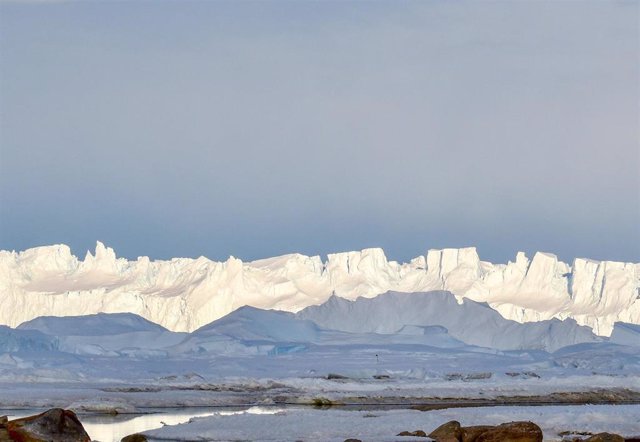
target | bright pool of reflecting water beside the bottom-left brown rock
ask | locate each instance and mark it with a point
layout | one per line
(109, 428)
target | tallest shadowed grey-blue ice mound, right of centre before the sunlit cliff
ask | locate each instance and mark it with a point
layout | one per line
(470, 322)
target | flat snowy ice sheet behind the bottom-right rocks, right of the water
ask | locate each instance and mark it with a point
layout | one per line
(267, 424)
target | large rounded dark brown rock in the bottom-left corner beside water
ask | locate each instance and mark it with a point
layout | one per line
(55, 425)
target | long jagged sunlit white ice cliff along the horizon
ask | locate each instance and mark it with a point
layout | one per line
(184, 294)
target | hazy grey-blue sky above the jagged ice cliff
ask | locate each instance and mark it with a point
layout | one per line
(255, 129)
